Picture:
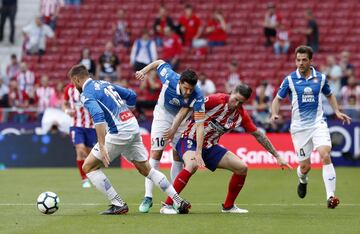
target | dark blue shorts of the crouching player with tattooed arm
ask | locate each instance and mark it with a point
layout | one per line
(211, 156)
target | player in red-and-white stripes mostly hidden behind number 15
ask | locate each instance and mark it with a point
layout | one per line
(82, 132)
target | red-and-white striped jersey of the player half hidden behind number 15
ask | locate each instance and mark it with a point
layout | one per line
(82, 117)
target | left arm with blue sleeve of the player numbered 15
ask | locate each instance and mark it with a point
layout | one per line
(98, 117)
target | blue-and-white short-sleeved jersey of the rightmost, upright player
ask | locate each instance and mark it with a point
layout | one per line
(305, 96)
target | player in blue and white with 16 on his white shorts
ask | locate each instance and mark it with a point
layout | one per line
(177, 91)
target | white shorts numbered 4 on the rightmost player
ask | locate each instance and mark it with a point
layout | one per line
(308, 140)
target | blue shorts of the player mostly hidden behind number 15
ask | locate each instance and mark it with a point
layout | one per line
(86, 136)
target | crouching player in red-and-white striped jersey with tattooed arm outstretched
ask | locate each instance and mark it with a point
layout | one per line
(223, 113)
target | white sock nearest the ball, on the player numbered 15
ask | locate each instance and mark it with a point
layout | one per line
(102, 183)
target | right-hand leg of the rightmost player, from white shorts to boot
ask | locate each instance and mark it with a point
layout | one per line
(322, 143)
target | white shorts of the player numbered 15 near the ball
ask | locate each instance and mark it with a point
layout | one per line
(129, 146)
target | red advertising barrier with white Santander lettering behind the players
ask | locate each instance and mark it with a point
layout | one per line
(247, 148)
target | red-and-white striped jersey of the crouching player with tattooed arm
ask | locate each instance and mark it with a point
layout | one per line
(219, 120)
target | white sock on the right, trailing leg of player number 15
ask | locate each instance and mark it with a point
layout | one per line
(162, 182)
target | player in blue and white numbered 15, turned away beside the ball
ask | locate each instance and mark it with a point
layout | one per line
(118, 133)
